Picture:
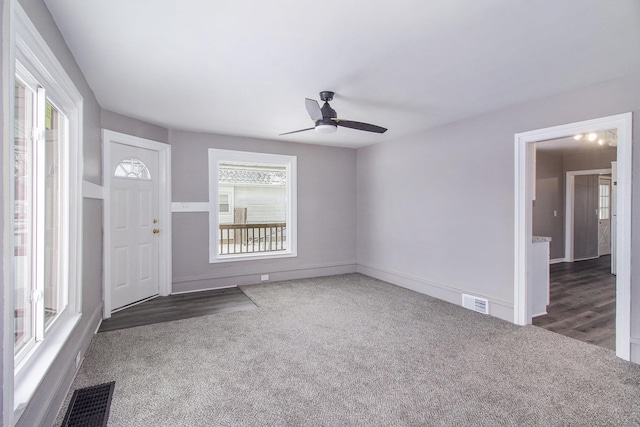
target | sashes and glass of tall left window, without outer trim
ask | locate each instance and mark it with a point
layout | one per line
(40, 222)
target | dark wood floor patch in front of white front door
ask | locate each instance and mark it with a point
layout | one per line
(176, 307)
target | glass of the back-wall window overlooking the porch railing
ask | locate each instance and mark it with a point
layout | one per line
(260, 208)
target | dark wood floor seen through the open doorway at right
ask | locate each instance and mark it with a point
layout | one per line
(583, 302)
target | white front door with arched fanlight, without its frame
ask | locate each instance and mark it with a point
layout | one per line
(134, 214)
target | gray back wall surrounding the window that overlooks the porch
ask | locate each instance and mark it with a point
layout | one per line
(326, 213)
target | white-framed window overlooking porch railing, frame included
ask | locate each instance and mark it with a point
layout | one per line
(255, 216)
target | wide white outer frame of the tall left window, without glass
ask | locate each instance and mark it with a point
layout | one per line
(28, 47)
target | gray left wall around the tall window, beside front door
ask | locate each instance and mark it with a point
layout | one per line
(44, 405)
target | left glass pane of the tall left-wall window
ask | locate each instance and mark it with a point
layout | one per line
(23, 215)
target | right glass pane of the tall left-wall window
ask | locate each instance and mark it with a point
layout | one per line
(54, 300)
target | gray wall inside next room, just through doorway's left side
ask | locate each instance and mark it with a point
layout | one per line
(549, 198)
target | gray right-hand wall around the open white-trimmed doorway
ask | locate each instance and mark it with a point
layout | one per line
(450, 227)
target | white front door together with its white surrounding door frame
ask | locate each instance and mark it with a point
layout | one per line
(137, 220)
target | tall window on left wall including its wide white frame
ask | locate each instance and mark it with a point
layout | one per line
(44, 169)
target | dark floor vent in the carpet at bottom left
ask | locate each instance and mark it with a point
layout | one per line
(89, 406)
